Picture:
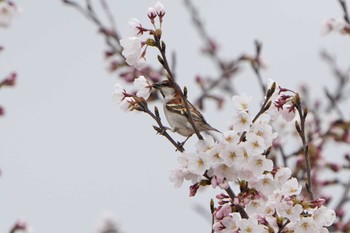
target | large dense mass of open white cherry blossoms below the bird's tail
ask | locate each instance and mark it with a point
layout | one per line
(268, 195)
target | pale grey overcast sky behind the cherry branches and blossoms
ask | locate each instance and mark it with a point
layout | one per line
(67, 154)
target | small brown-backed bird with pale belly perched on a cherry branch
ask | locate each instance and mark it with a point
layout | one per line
(176, 114)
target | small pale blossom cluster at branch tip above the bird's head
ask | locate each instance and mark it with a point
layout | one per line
(134, 49)
